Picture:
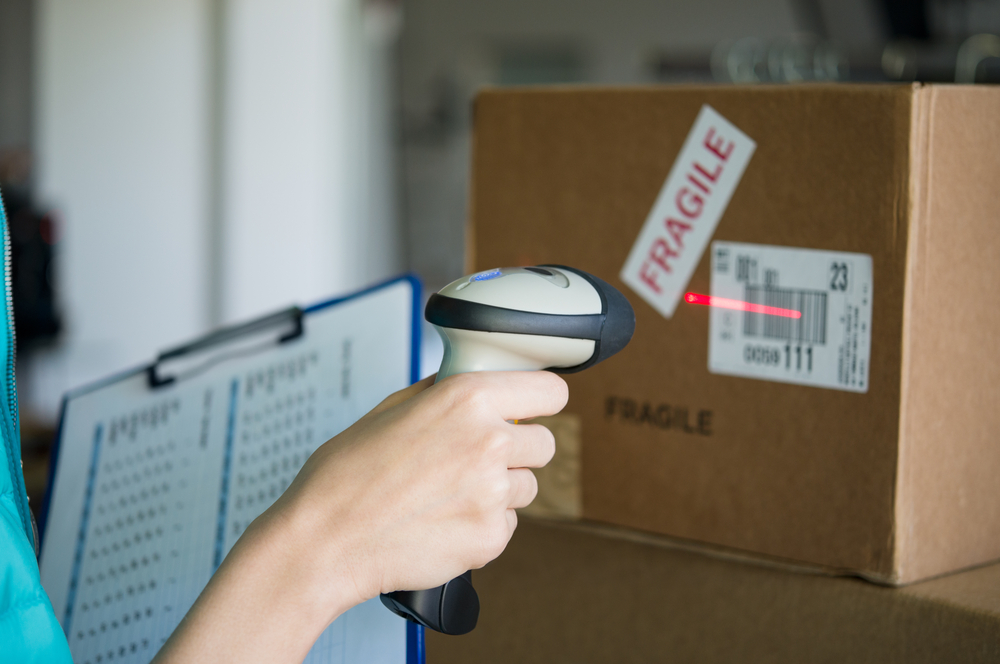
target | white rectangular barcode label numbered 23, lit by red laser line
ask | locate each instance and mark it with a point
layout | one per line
(791, 315)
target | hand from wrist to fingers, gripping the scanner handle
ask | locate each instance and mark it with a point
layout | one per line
(424, 487)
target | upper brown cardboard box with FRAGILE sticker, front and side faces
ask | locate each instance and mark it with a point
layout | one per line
(895, 478)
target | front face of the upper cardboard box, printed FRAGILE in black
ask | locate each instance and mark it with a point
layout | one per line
(809, 474)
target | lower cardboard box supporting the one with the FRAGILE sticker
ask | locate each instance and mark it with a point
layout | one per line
(570, 593)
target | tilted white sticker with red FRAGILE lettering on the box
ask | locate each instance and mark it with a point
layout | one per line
(687, 210)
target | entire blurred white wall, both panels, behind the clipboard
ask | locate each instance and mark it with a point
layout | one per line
(210, 160)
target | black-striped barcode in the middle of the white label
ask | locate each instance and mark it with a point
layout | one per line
(809, 328)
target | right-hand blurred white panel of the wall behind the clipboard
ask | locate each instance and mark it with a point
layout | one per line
(305, 152)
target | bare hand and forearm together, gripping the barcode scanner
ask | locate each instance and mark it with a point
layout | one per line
(416, 492)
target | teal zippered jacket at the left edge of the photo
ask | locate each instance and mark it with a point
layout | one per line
(29, 631)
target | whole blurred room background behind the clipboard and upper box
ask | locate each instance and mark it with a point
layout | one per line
(169, 166)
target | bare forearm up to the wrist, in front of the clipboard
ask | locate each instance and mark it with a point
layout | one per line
(269, 600)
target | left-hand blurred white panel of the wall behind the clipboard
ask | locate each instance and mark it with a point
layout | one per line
(121, 156)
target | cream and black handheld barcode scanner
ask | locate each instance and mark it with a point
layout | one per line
(514, 319)
